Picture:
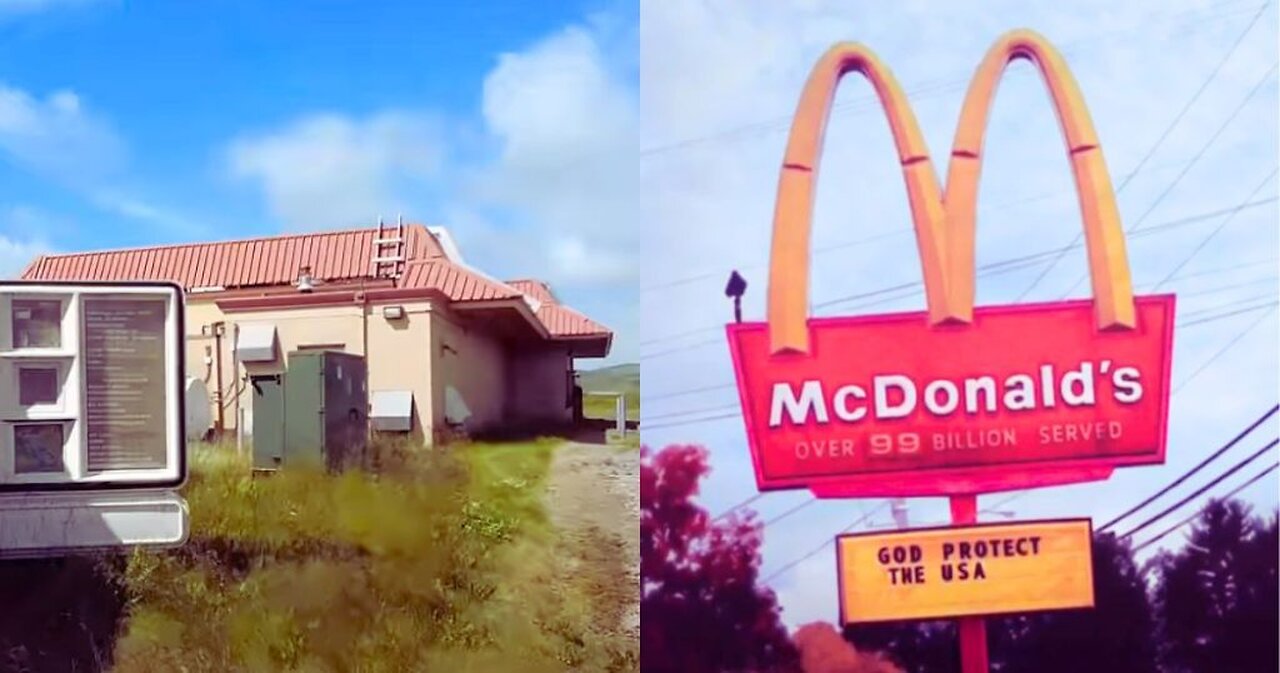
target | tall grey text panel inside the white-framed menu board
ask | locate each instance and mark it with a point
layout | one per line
(125, 383)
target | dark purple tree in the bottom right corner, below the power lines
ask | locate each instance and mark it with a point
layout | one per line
(1217, 598)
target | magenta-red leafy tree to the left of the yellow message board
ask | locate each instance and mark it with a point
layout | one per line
(702, 611)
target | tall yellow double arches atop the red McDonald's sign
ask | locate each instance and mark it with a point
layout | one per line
(944, 226)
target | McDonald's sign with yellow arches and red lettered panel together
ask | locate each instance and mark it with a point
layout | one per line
(953, 400)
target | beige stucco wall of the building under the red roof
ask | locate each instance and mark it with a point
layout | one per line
(427, 351)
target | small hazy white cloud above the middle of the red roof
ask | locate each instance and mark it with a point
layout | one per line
(331, 171)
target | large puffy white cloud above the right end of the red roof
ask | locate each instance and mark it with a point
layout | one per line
(568, 126)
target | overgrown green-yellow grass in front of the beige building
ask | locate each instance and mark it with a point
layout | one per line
(442, 561)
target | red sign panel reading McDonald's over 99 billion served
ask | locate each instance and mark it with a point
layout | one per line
(1025, 396)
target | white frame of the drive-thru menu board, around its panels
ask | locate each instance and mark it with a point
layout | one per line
(72, 411)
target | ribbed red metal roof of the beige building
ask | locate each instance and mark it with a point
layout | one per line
(333, 257)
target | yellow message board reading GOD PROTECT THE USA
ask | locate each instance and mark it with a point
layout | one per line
(964, 571)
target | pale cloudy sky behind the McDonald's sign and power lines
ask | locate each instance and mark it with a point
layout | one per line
(719, 91)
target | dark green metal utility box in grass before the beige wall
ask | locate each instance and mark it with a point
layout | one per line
(326, 409)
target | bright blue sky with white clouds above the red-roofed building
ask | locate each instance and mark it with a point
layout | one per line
(143, 123)
